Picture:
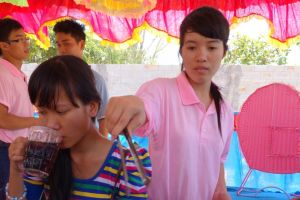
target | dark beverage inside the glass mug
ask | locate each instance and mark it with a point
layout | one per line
(40, 157)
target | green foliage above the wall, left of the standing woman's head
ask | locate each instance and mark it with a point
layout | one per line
(94, 52)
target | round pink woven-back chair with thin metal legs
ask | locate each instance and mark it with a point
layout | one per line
(268, 128)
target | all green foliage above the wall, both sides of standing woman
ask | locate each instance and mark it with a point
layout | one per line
(242, 50)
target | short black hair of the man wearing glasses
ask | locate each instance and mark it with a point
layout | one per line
(8, 25)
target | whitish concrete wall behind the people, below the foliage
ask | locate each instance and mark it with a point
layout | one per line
(236, 81)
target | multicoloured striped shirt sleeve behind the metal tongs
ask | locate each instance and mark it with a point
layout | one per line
(137, 190)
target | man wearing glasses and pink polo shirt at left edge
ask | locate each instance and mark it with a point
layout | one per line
(16, 111)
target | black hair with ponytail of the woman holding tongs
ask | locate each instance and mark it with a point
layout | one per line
(208, 22)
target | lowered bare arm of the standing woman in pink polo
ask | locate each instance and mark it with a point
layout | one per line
(221, 190)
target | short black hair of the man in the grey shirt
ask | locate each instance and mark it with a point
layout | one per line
(71, 27)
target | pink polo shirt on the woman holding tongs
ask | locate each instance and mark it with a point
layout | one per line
(186, 148)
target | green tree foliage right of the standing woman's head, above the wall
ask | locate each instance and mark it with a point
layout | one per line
(248, 51)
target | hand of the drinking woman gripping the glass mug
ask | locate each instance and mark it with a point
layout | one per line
(16, 153)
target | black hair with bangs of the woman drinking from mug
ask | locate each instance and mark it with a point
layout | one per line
(75, 77)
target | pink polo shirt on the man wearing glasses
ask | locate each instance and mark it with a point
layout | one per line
(14, 95)
